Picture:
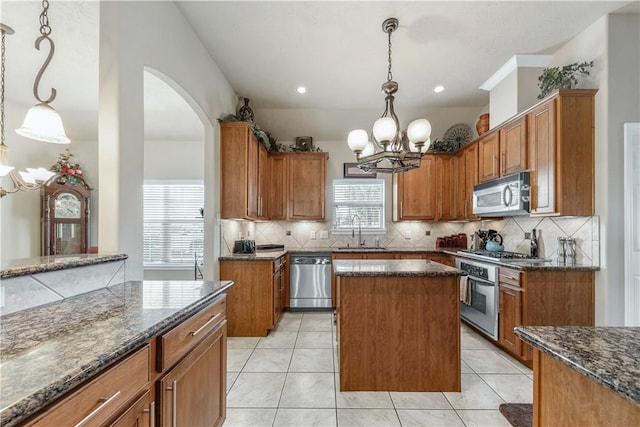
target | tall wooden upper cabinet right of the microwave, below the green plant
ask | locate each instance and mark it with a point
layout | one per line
(561, 147)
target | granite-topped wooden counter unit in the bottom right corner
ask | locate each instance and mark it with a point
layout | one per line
(584, 375)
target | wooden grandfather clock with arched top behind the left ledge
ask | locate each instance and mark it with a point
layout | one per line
(65, 218)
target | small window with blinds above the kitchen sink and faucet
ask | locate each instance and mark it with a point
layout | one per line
(362, 197)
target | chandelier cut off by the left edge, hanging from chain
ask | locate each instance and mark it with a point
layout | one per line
(32, 179)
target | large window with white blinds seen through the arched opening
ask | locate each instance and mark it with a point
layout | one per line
(173, 225)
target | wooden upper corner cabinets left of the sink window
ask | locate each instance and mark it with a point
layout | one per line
(259, 186)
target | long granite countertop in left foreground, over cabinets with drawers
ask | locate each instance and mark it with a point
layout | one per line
(48, 350)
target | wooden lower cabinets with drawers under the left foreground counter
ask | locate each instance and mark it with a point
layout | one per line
(186, 388)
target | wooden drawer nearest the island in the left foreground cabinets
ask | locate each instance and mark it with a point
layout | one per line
(173, 345)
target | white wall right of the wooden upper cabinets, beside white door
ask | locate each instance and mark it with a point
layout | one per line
(612, 42)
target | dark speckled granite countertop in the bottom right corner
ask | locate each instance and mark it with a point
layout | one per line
(608, 355)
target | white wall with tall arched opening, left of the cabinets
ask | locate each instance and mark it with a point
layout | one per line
(169, 46)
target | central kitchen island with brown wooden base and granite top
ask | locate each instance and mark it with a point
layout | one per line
(398, 325)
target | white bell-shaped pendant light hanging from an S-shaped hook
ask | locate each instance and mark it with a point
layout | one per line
(42, 122)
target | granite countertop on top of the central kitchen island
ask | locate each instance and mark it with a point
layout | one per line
(393, 268)
